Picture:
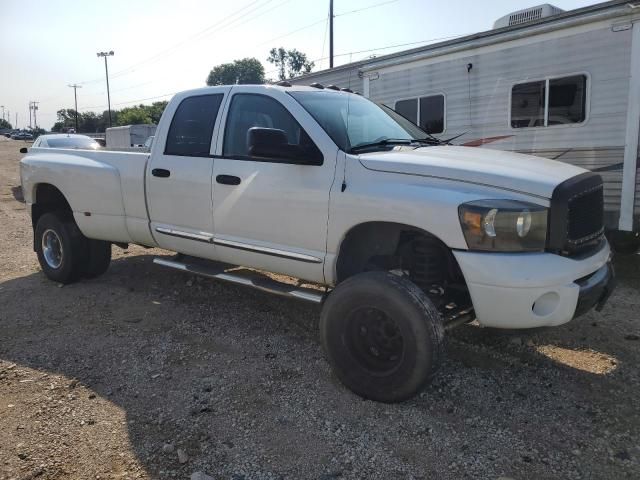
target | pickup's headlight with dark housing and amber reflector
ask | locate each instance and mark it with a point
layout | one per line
(504, 225)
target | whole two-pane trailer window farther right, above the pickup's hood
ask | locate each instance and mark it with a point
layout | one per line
(565, 103)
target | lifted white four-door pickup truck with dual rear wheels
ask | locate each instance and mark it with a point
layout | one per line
(404, 238)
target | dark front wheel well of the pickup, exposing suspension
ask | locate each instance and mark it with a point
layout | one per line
(411, 251)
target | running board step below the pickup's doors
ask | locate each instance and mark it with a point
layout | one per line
(247, 278)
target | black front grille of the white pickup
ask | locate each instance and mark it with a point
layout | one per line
(576, 222)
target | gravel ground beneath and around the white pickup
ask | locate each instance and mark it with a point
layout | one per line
(150, 373)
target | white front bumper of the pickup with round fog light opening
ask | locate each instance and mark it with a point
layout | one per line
(527, 290)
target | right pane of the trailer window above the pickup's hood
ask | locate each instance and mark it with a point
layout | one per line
(567, 98)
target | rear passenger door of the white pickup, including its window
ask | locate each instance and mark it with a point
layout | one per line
(178, 178)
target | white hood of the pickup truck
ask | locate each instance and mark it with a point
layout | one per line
(505, 170)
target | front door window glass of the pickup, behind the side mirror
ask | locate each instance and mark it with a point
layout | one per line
(253, 110)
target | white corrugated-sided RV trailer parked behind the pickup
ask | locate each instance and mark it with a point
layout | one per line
(556, 84)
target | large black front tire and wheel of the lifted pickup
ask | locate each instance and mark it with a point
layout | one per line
(382, 335)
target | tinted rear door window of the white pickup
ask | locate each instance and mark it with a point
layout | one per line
(192, 126)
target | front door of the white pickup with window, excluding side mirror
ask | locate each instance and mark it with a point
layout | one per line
(271, 213)
